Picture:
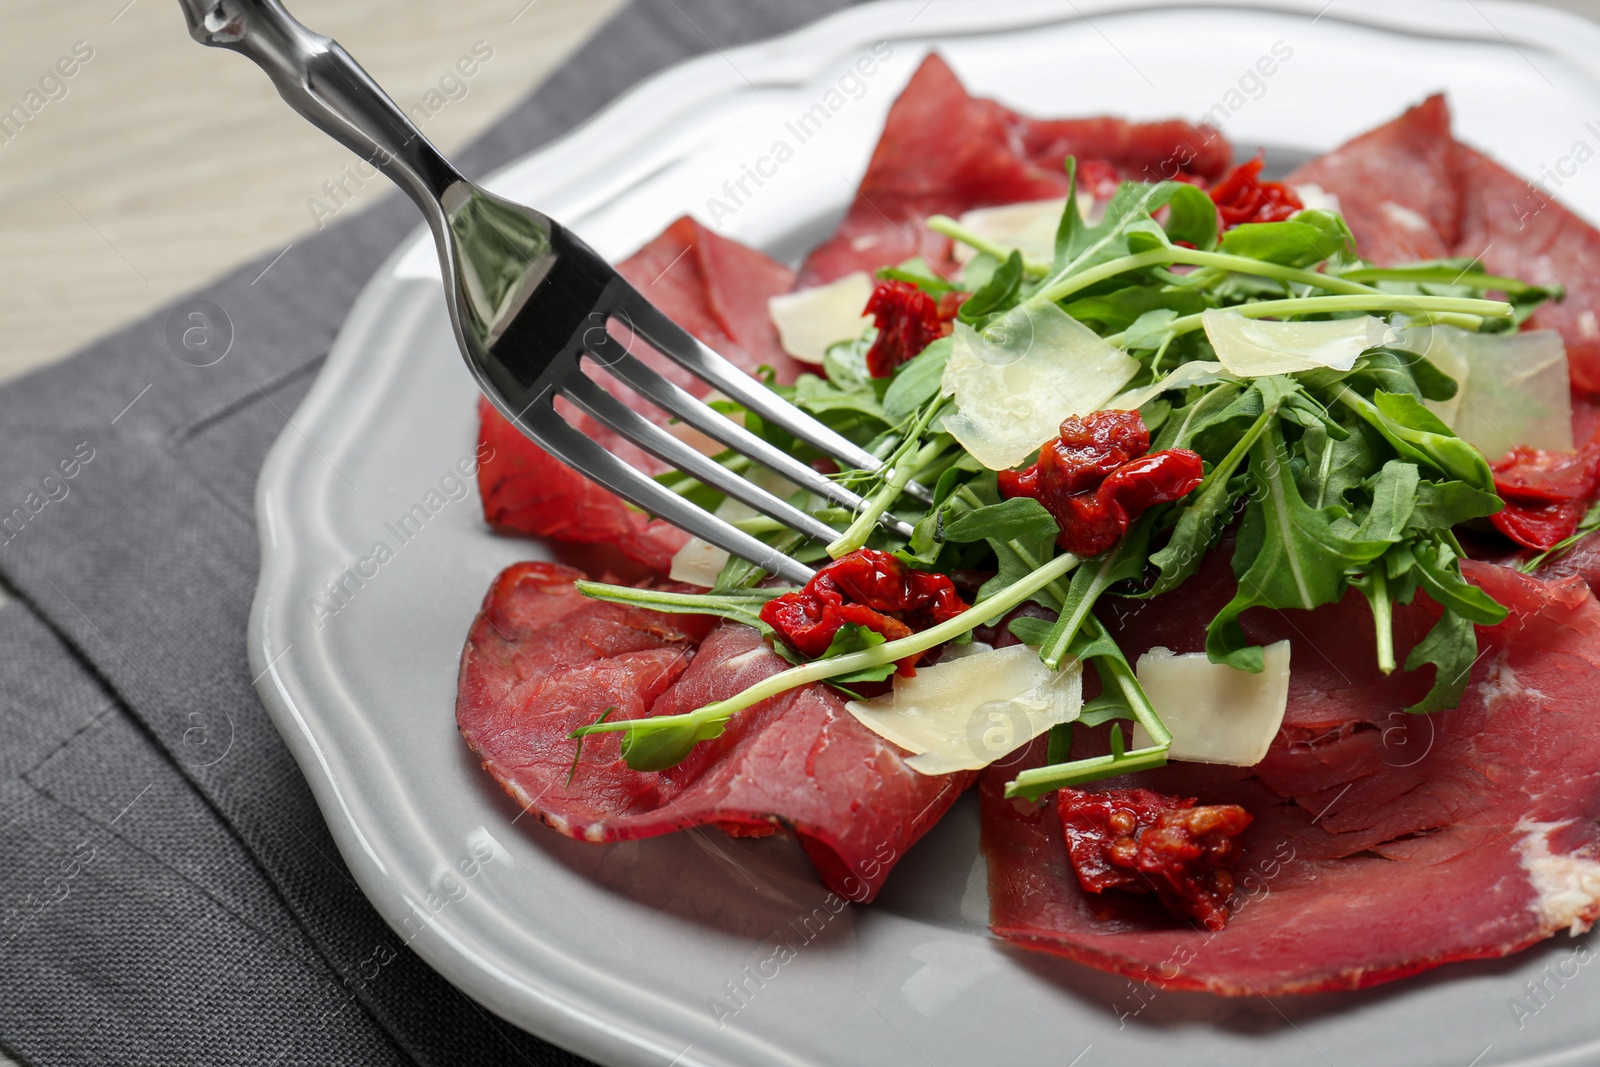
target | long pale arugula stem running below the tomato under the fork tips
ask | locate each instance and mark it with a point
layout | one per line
(876, 657)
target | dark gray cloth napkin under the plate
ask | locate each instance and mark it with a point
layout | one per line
(169, 890)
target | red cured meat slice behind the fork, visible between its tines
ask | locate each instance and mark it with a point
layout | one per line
(713, 287)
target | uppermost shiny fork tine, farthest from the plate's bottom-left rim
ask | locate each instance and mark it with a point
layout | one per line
(684, 350)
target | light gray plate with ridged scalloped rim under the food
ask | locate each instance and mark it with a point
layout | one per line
(697, 949)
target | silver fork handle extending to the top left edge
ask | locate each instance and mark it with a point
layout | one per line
(324, 84)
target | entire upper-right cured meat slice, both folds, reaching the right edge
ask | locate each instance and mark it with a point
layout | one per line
(1410, 191)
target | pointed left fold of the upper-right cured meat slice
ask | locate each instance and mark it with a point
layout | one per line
(1396, 186)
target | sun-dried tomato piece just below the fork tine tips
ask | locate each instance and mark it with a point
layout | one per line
(871, 589)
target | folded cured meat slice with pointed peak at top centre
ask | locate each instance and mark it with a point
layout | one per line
(946, 153)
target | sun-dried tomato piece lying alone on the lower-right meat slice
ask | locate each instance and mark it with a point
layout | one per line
(1138, 841)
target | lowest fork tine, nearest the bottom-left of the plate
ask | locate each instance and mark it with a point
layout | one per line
(578, 452)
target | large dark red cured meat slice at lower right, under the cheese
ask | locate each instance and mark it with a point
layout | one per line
(1383, 844)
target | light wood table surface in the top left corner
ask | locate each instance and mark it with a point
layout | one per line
(161, 164)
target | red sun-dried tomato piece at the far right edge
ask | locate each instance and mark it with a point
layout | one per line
(1546, 494)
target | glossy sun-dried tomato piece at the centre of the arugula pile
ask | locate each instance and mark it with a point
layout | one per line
(1095, 479)
